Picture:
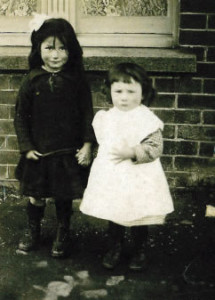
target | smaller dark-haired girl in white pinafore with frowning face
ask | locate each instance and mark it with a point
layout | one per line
(127, 185)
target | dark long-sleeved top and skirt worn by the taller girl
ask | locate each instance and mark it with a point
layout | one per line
(53, 112)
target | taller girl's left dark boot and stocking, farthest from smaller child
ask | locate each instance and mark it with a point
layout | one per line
(31, 236)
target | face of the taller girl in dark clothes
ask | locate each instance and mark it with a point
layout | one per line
(53, 54)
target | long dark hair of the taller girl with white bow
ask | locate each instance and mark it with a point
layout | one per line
(63, 30)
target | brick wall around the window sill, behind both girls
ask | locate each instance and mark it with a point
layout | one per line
(186, 104)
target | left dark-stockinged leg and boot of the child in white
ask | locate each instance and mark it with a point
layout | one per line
(112, 258)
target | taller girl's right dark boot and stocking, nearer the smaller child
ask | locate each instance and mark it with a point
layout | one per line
(61, 243)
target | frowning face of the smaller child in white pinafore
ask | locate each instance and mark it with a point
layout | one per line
(126, 96)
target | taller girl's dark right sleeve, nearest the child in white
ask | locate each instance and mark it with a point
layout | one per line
(86, 109)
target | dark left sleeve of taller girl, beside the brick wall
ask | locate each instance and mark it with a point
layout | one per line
(23, 116)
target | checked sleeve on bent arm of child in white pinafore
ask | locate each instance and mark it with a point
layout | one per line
(150, 148)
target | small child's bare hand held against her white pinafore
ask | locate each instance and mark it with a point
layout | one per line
(122, 152)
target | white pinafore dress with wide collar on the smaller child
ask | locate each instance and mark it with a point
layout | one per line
(126, 193)
